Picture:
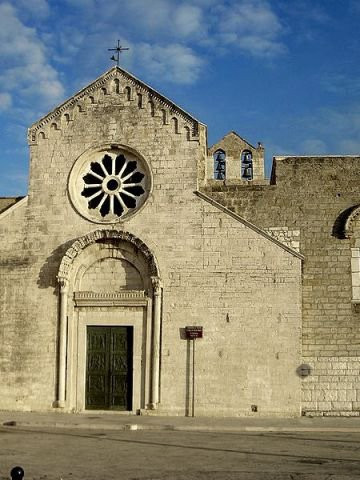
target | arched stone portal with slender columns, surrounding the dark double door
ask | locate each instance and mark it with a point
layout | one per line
(110, 315)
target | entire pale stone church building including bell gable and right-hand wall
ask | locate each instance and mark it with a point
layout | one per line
(133, 229)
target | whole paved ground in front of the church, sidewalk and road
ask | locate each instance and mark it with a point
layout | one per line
(54, 446)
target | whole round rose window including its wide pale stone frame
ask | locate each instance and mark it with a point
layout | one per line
(109, 185)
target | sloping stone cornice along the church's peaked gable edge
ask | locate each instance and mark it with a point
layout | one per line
(115, 72)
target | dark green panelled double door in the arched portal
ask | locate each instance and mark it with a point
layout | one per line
(109, 368)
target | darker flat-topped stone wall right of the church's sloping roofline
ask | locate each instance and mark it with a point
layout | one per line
(311, 194)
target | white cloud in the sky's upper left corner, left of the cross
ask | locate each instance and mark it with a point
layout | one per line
(26, 69)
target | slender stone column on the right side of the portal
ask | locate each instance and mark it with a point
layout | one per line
(155, 359)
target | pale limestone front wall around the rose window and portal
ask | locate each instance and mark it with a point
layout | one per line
(243, 288)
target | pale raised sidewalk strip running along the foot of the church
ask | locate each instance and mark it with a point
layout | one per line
(119, 421)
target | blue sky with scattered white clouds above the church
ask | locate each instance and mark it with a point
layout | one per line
(283, 72)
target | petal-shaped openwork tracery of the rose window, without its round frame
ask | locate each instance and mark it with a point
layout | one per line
(113, 185)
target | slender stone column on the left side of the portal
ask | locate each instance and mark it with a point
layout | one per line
(62, 343)
